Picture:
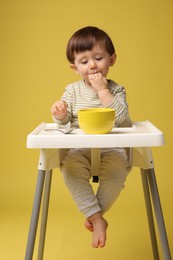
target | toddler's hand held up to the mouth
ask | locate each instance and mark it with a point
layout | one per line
(98, 81)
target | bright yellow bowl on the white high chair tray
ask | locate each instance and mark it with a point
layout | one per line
(96, 120)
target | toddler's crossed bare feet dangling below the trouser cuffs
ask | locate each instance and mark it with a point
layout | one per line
(98, 225)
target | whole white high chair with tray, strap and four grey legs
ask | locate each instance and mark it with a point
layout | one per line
(140, 156)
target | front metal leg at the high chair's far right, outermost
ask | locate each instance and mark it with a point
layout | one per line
(158, 214)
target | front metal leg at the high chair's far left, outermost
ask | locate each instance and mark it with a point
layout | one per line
(35, 215)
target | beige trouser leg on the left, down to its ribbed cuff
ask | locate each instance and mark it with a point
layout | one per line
(76, 172)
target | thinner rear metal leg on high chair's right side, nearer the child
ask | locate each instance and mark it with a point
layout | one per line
(150, 214)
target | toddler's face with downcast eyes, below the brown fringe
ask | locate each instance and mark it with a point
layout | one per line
(93, 61)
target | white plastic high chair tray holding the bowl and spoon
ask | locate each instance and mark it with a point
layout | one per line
(141, 134)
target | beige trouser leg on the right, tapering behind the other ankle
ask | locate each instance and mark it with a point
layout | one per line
(112, 176)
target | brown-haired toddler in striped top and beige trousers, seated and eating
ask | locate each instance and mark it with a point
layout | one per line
(91, 53)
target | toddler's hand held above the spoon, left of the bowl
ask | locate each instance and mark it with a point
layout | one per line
(59, 109)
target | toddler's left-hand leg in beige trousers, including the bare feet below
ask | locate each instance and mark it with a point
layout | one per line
(76, 171)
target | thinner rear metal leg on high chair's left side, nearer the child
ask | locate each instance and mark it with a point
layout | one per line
(44, 214)
